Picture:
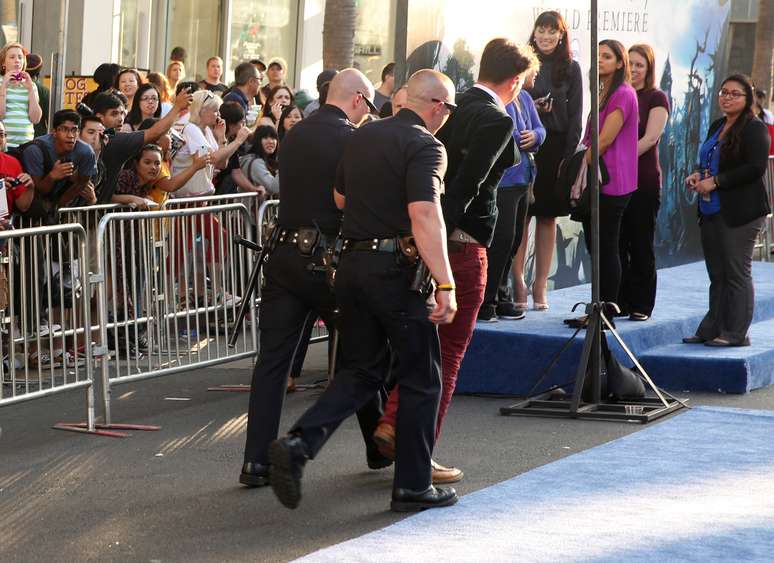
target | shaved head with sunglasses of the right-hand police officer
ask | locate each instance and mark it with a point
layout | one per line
(428, 92)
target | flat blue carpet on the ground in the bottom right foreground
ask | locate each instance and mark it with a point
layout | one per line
(698, 487)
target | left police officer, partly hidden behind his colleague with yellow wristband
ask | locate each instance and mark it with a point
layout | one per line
(295, 281)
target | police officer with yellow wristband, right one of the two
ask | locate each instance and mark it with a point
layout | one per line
(389, 183)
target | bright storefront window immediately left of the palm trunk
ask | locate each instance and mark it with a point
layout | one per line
(262, 29)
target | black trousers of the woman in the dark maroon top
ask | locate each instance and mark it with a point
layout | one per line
(638, 261)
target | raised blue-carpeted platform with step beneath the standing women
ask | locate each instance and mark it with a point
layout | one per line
(508, 357)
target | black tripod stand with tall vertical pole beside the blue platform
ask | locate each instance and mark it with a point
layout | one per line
(596, 406)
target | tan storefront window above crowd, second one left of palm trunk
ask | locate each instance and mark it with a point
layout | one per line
(195, 26)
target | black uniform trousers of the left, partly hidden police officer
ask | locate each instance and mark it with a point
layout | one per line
(292, 295)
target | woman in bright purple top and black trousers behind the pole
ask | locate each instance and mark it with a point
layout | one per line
(618, 115)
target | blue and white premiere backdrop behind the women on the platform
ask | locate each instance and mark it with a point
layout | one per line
(690, 39)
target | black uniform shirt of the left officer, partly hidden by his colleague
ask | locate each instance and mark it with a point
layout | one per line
(309, 155)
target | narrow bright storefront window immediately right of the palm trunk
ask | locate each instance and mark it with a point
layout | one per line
(374, 37)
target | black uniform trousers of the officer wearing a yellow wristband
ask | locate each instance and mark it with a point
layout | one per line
(378, 312)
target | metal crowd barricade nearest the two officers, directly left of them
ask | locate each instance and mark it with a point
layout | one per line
(167, 292)
